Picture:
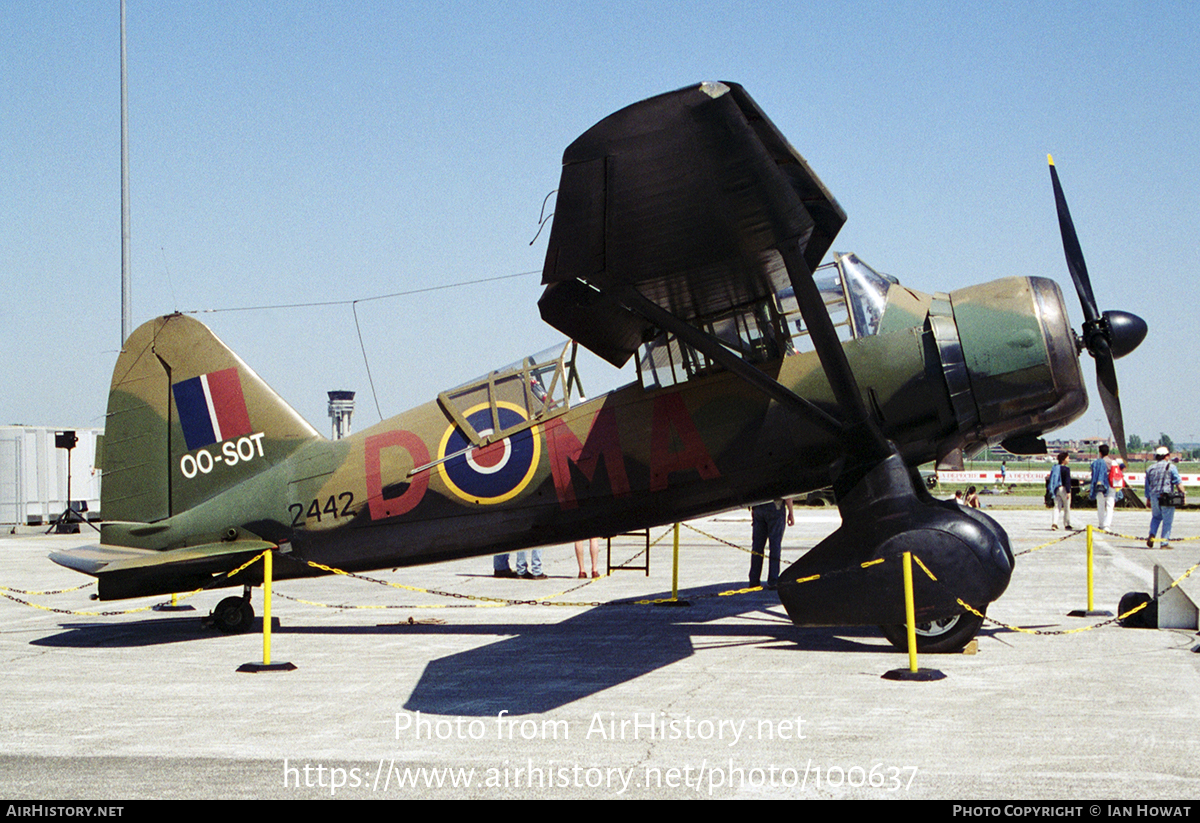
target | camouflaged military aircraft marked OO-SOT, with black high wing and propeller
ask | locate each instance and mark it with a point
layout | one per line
(689, 233)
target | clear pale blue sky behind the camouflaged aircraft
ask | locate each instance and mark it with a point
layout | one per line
(311, 152)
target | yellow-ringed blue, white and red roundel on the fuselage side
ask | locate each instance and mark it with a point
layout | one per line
(497, 472)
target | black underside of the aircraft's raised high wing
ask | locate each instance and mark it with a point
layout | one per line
(687, 199)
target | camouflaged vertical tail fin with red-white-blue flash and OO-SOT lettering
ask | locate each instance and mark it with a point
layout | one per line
(187, 420)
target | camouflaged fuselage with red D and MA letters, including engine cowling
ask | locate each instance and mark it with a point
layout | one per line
(939, 373)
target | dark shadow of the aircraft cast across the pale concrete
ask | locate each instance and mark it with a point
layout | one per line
(536, 668)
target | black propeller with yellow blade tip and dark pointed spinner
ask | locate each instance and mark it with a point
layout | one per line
(1107, 337)
